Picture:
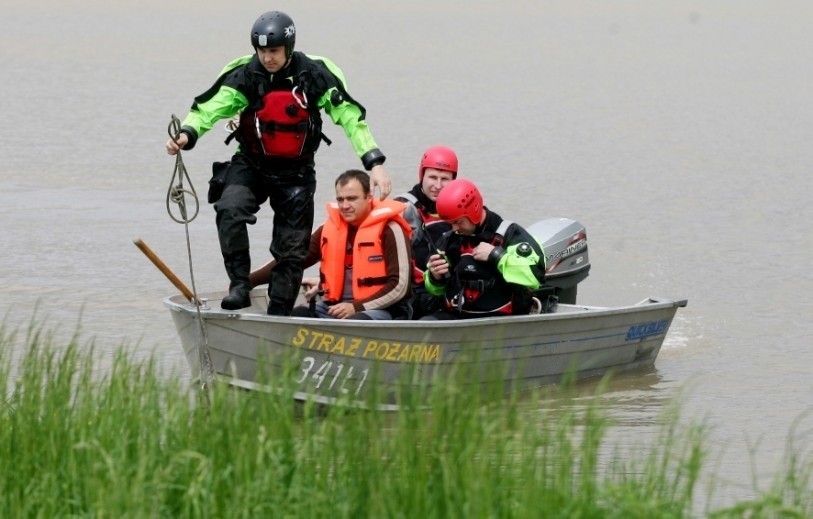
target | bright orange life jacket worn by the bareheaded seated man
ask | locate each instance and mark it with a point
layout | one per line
(369, 268)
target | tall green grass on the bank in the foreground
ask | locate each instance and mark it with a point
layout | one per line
(132, 443)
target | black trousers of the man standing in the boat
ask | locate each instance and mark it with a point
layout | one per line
(289, 187)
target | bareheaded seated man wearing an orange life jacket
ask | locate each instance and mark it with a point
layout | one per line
(365, 253)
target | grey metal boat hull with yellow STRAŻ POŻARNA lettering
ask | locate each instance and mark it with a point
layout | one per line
(382, 363)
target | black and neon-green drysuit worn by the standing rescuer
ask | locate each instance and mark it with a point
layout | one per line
(252, 176)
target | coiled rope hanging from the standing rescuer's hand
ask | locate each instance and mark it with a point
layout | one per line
(177, 194)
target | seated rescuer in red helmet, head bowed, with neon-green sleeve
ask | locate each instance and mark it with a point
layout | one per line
(488, 266)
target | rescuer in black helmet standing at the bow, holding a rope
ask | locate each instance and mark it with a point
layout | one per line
(278, 94)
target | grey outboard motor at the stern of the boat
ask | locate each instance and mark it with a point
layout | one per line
(565, 244)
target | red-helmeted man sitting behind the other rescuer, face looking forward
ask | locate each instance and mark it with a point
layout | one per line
(437, 168)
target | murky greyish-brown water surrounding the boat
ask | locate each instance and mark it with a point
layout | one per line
(677, 132)
